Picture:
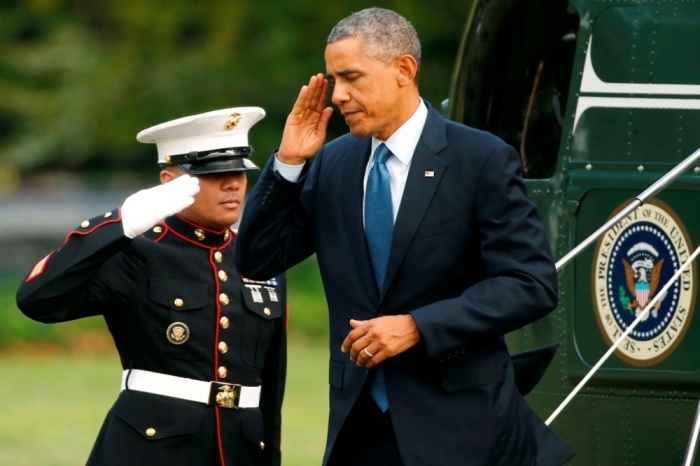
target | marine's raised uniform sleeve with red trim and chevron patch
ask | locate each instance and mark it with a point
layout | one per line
(66, 285)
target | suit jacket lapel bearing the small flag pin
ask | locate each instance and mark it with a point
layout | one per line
(419, 190)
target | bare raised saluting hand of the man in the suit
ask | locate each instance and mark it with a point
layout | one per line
(305, 130)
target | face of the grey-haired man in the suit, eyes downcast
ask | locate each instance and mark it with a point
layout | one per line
(366, 91)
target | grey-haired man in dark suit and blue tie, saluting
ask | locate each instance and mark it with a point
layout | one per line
(429, 251)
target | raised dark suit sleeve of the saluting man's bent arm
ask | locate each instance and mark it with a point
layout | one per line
(276, 229)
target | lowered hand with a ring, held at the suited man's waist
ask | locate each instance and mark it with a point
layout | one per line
(375, 340)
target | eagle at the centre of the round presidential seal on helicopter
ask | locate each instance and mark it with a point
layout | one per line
(642, 278)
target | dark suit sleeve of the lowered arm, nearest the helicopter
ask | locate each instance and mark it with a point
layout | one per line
(520, 283)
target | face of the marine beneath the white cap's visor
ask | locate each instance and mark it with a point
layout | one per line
(219, 200)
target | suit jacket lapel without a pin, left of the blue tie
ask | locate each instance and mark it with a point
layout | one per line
(353, 192)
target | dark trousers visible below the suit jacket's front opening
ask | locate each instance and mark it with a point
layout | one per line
(367, 437)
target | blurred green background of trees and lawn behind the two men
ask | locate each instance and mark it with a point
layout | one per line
(78, 80)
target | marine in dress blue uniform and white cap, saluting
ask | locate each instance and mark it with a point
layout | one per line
(203, 349)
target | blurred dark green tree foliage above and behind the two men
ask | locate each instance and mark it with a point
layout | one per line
(79, 78)
